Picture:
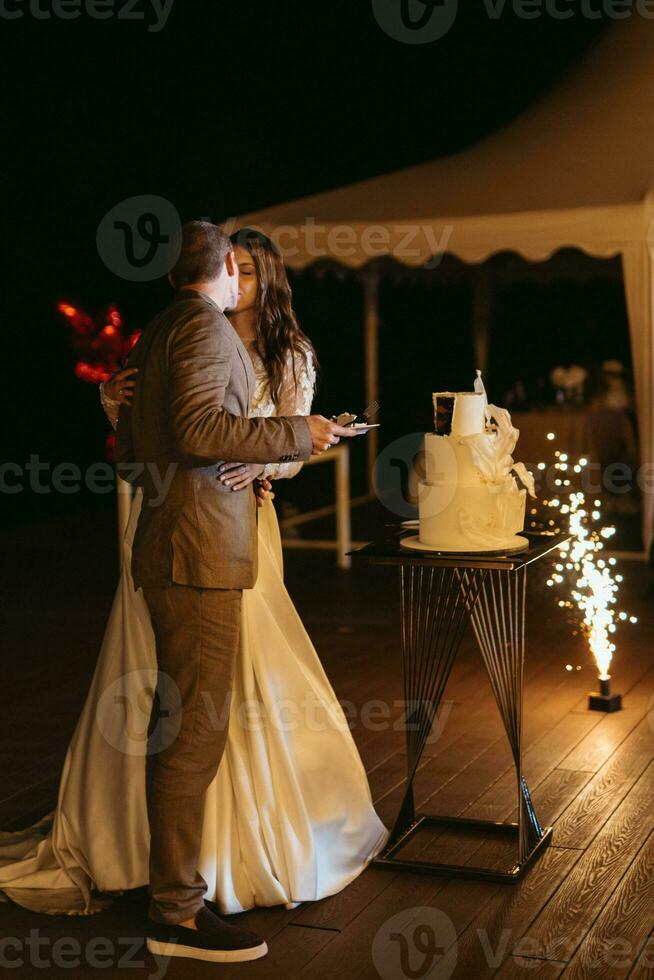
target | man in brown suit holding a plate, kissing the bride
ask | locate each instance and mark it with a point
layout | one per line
(195, 550)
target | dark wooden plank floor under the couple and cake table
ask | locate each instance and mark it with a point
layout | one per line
(586, 907)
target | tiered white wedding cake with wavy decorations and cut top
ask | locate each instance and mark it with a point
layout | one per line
(472, 496)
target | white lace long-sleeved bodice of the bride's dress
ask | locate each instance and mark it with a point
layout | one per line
(295, 399)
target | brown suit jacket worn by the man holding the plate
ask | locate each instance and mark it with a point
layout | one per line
(188, 414)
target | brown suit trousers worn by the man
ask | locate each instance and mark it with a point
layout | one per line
(197, 636)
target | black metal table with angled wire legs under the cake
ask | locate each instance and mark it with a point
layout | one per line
(439, 594)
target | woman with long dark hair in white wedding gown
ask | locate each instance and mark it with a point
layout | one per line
(289, 816)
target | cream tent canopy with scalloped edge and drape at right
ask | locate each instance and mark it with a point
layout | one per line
(574, 171)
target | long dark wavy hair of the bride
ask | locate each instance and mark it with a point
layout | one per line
(278, 331)
